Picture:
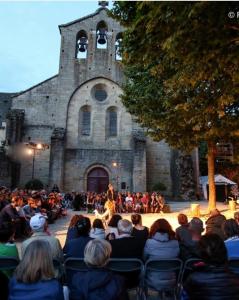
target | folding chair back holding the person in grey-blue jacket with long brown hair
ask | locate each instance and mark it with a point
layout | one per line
(163, 276)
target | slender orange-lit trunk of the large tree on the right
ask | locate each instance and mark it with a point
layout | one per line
(211, 174)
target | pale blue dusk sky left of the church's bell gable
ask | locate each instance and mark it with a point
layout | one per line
(30, 39)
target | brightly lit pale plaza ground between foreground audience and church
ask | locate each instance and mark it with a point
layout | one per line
(59, 228)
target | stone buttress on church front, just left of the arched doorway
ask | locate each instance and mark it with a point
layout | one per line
(57, 158)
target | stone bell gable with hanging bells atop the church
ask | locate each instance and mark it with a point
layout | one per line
(90, 47)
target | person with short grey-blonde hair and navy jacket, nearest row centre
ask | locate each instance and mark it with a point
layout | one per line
(98, 283)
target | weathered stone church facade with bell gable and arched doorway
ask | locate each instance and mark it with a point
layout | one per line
(93, 139)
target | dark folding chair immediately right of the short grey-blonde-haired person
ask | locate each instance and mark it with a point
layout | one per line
(132, 270)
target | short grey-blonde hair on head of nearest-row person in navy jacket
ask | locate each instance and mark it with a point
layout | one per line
(97, 253)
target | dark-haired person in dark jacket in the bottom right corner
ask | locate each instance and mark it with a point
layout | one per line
(212, 280)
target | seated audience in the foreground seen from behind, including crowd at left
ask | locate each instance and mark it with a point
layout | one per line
(36, 278)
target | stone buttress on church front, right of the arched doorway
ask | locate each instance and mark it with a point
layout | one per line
(139, 162)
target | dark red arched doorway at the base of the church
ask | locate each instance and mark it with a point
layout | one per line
(97, 180)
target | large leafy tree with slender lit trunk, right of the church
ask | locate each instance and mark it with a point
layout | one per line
(181, 62)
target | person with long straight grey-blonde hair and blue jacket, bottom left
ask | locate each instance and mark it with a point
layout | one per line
(34, 276)
